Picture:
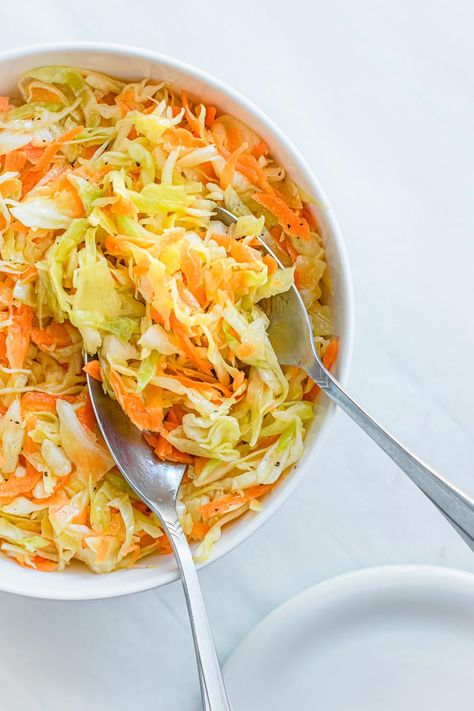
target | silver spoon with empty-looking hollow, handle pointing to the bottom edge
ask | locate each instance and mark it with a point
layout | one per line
(157, 484)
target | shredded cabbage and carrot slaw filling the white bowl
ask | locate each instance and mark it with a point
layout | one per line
(108, 243)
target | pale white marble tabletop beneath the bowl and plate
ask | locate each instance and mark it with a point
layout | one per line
(378, 95)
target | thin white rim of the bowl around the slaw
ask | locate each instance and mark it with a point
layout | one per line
(114, 585)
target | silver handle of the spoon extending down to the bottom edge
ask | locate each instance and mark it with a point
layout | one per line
(213, 693)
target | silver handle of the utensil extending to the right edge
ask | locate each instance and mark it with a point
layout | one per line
(456, 506)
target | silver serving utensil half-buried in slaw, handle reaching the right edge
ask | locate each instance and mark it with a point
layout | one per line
(291, 336)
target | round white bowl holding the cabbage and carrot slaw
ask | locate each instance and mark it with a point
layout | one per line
(77, 583)
